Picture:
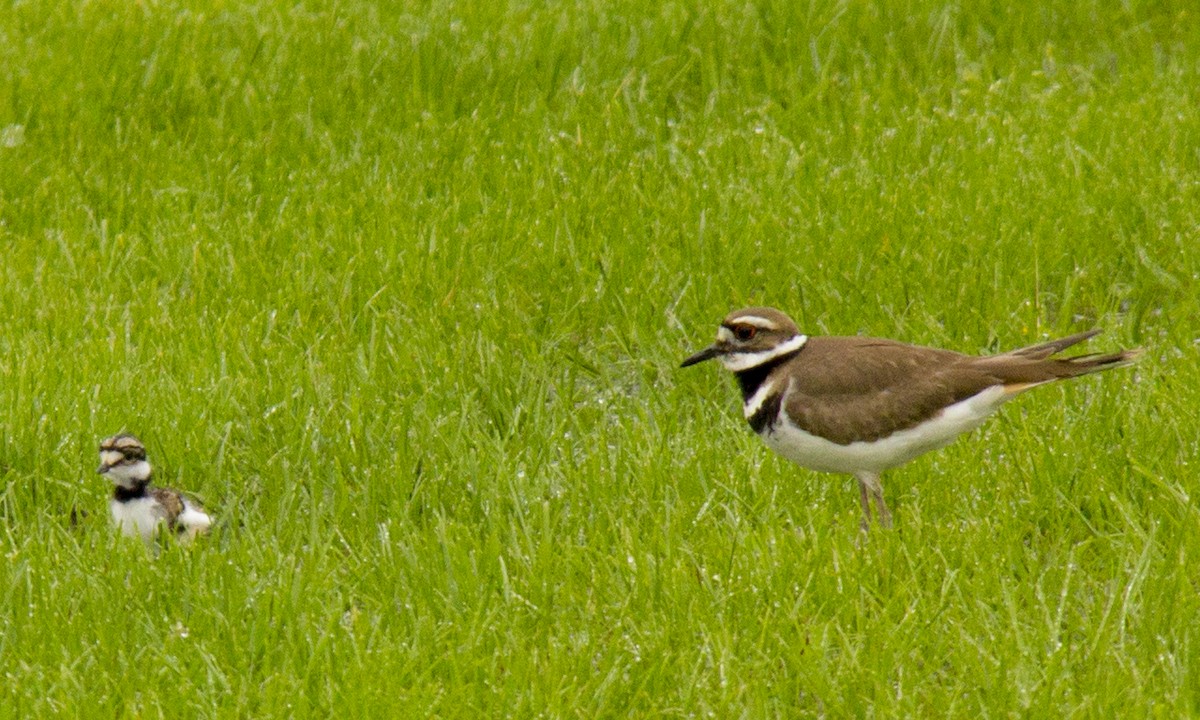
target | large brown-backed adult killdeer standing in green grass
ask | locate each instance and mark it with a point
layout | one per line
(862, 405)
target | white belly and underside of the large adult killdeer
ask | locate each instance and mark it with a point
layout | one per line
(819, 454)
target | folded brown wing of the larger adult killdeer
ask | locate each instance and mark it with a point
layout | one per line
(848, 389)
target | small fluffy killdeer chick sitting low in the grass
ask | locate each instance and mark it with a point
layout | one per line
(139, 508)
